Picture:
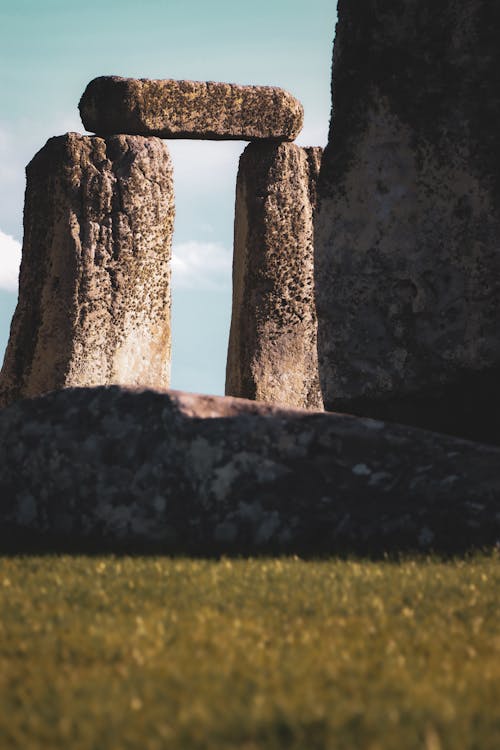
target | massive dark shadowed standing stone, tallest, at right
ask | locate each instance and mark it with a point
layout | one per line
(408, 231)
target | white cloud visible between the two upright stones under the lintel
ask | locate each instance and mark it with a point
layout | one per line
(201, 265)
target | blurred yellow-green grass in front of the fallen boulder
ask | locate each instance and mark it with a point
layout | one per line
(109, 653)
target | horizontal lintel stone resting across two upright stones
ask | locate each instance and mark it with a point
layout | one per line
(189, 109)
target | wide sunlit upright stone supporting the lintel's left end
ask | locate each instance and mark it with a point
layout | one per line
(94, 295)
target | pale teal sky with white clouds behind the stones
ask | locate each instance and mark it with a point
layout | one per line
(50, 50)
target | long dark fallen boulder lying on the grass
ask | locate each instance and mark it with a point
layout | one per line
(194, 474)
